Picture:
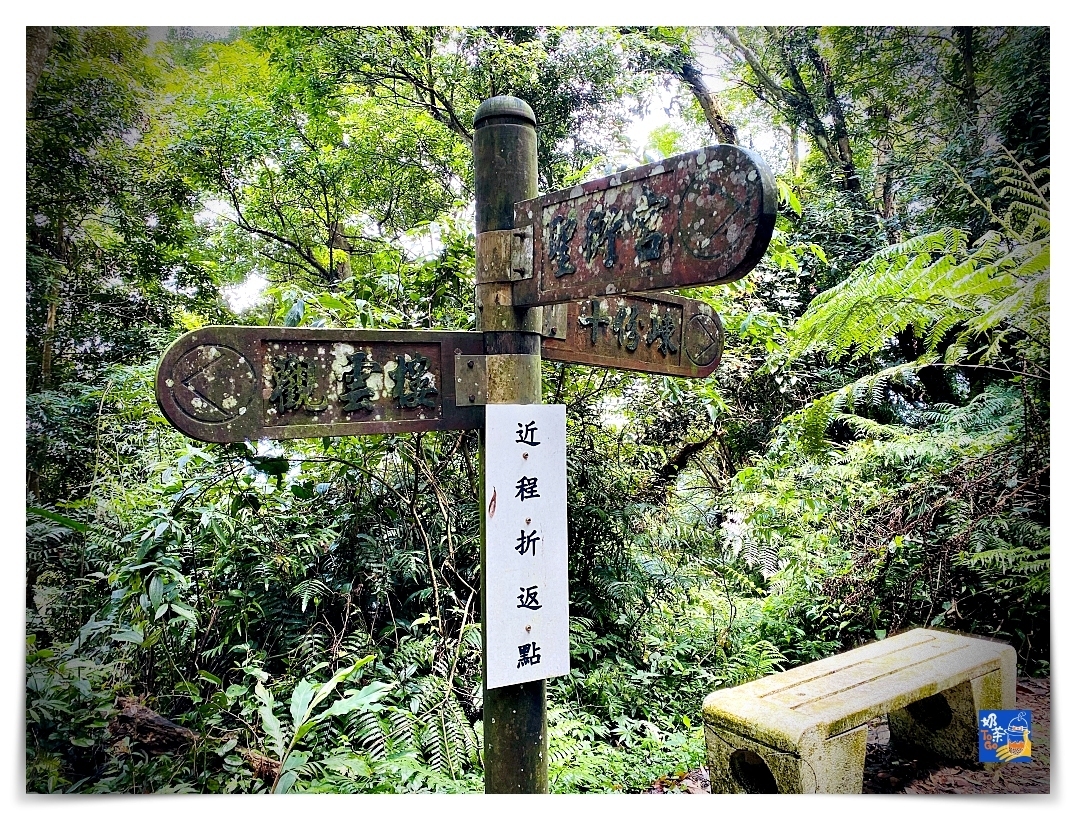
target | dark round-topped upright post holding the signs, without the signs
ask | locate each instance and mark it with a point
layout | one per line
(506, 172)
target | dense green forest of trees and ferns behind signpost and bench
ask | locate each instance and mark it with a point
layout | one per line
(872, 455)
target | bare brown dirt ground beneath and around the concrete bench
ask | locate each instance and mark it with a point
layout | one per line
(888, 773)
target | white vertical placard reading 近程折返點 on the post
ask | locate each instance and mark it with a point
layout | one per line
(527, 544)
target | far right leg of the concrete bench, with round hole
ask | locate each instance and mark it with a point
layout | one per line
(947, 724)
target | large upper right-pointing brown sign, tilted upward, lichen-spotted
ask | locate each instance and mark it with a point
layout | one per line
(700, 218)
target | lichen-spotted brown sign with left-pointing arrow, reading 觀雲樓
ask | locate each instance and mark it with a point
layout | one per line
(237, 384)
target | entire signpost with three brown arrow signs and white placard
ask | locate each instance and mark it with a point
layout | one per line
(567, 276)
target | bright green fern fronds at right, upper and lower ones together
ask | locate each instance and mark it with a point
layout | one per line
(967, 302)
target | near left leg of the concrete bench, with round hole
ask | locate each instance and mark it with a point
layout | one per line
(741, 766)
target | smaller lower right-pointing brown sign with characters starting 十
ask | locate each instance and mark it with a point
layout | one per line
(658, 334)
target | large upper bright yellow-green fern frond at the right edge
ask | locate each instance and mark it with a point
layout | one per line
(939, 284)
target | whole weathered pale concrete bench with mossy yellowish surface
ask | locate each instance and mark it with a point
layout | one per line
(806, 730)
